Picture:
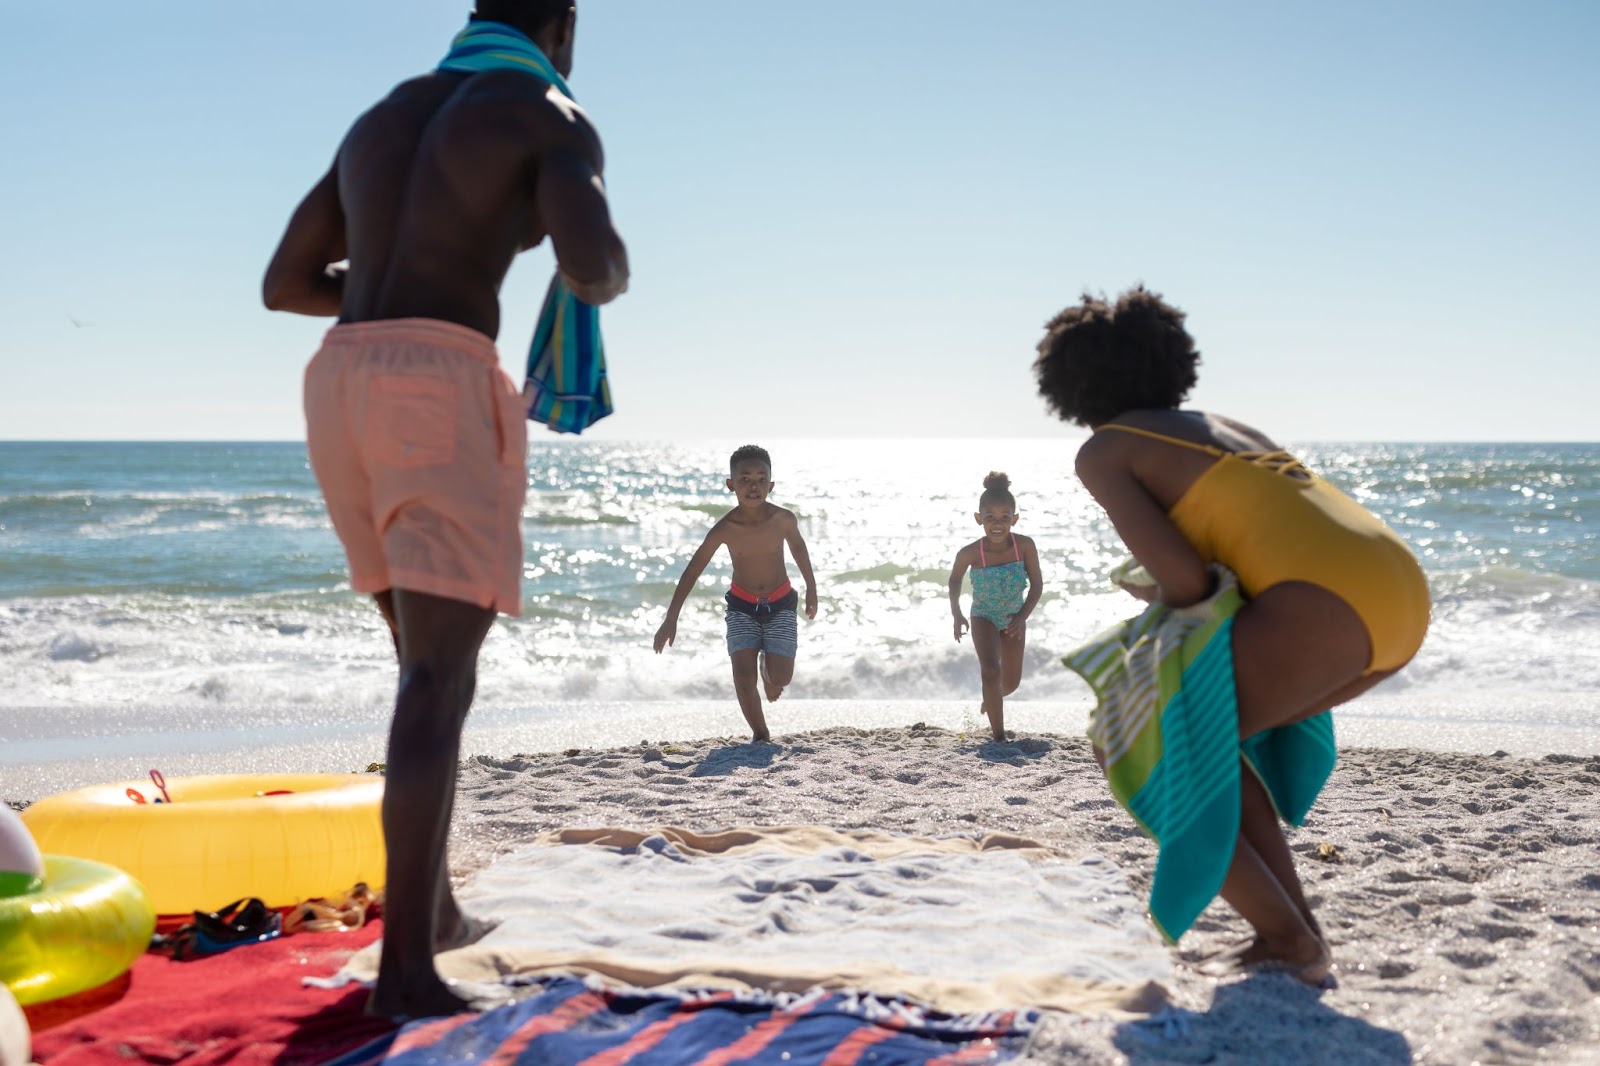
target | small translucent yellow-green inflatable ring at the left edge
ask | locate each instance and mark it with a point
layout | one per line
(82, 928)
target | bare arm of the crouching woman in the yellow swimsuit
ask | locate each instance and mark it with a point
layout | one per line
(1161, 548)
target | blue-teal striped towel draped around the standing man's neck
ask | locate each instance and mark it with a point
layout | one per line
(567, 387)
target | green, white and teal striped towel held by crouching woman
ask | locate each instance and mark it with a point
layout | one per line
(1167, 721)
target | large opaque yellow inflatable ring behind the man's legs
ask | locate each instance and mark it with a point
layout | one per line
(281, 838)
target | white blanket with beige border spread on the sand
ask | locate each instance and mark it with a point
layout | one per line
(961, 924)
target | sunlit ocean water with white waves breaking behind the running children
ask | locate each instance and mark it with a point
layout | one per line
(188, 606)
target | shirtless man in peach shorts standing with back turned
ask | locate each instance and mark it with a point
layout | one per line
(415, 433)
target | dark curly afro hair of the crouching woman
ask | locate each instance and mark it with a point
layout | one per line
(1103, 359)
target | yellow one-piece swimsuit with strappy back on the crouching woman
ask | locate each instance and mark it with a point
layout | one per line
(1270, 519)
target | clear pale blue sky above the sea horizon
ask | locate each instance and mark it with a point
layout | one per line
(852, 217)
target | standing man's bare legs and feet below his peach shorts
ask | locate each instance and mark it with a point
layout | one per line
(439, 651)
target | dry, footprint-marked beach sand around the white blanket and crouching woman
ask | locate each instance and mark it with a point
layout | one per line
(1462, 892)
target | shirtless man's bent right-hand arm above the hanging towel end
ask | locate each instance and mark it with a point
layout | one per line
(574, 207)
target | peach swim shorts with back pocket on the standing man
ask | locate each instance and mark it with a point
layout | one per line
(420, 444)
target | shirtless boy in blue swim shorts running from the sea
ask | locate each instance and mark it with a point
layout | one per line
(762, 622)
